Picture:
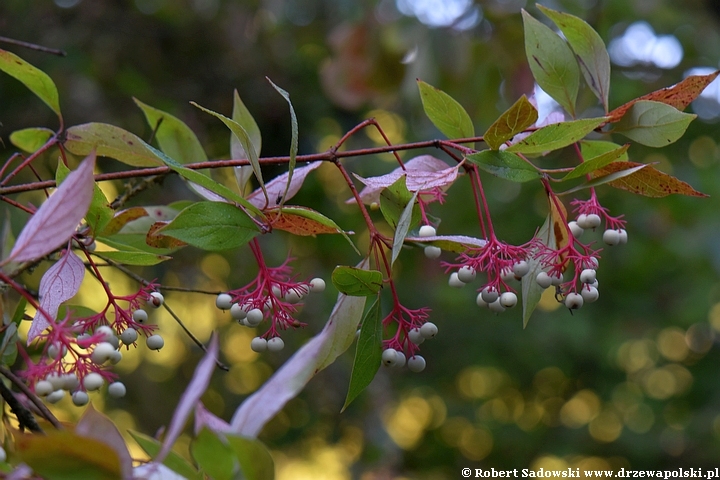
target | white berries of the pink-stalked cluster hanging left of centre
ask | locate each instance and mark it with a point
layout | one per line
(249, 316)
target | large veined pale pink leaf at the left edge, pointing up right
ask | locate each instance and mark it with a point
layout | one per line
(55, 221)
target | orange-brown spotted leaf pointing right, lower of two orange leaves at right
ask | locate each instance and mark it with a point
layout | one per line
(647, 181)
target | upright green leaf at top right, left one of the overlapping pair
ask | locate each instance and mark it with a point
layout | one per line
(552, 63)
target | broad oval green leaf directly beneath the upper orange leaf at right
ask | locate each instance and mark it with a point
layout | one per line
(654, 124)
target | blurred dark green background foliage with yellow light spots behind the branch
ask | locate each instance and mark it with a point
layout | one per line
(630, 381)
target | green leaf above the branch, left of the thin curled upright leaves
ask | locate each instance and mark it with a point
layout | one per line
(173, 135)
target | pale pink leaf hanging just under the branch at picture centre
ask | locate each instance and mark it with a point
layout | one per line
(423, 173)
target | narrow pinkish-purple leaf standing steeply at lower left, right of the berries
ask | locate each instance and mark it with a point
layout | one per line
(190, 398)
